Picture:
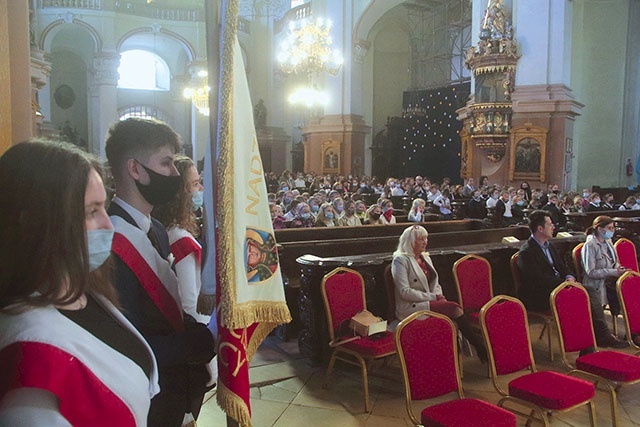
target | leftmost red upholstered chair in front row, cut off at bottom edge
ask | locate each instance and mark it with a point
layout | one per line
(428, 339)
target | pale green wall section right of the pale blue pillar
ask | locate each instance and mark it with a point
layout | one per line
(598, 79)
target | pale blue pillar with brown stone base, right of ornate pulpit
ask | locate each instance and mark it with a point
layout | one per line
(543, 95)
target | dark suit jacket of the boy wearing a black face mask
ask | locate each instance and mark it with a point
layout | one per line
(180, 355)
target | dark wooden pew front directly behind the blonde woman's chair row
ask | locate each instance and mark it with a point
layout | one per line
(371, 256)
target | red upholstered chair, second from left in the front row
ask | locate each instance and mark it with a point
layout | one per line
(505, 329)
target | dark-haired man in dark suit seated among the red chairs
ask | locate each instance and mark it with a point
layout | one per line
(542, 269)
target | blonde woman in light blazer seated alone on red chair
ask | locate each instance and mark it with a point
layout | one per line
(417, 286)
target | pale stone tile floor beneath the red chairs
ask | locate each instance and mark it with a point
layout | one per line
(287, 391)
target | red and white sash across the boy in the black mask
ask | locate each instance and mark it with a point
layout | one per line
(133, 246)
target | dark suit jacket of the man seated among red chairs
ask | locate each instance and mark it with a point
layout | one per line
(538, 276)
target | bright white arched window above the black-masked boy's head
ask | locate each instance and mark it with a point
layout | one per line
(141, 69)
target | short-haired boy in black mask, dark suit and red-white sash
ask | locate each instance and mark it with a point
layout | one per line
(141, 153)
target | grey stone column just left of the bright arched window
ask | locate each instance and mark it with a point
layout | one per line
(103, 100)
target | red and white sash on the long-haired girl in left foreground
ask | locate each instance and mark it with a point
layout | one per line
(95, 385)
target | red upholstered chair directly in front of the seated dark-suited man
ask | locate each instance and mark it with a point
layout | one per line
(570, 305)
